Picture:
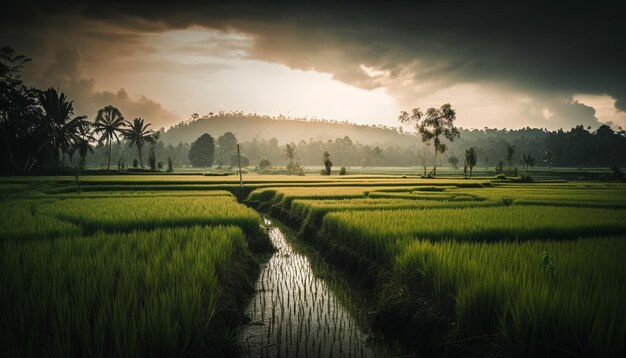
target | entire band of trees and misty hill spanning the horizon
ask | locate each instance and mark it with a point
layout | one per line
(40, 133)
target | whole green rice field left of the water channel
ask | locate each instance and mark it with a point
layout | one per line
(120, 273)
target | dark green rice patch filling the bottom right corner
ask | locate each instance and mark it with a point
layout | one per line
(503, 287)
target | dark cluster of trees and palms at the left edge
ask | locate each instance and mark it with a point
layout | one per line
(40, 132)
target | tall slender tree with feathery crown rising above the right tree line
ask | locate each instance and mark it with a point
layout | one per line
(435, 125)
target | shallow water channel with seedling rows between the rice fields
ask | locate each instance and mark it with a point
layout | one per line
(295, 314)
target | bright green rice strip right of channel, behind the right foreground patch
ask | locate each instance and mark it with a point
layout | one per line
(383, 234)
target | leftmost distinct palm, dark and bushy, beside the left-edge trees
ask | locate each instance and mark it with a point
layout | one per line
(61, 130)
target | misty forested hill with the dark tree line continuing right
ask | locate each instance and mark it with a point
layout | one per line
(264, 137)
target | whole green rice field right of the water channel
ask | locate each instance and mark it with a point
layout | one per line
(535, 269)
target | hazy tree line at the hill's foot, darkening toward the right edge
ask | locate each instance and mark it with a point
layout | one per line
(578, 147)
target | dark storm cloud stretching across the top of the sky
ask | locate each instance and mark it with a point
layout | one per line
(550, 48)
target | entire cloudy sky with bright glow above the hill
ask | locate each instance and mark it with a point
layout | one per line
(500, 64)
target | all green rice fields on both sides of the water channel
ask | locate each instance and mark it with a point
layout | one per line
(536, 267)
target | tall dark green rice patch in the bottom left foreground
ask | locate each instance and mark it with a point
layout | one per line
(139, 294)
